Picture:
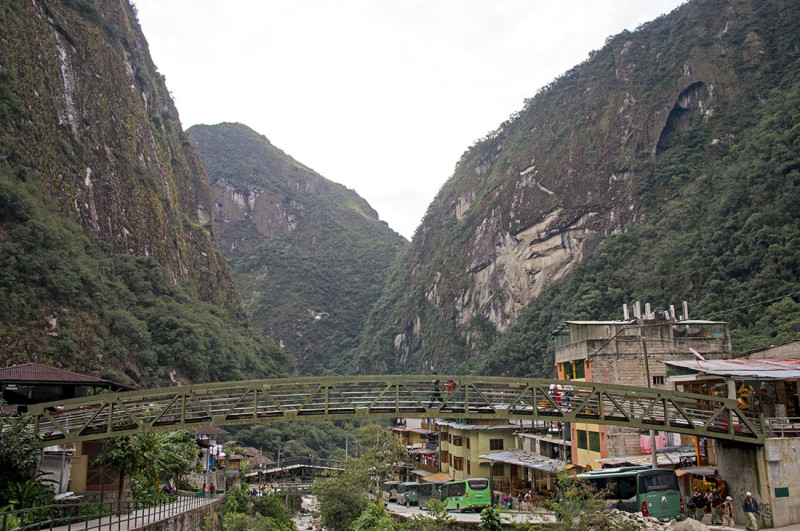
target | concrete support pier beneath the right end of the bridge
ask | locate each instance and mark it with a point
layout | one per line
(769, 472)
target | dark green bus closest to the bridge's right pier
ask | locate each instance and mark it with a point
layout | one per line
(638, 489)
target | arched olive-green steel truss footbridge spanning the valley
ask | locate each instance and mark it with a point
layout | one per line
(361, 397)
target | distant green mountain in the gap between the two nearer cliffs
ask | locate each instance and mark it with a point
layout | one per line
(308, 255)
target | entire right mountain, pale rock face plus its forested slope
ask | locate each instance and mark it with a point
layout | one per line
(663, 168)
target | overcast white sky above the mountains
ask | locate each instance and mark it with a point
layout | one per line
(382, 96)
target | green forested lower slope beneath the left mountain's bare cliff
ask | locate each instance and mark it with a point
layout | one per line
(65, 300)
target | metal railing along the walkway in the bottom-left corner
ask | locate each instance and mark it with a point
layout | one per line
(116, 516)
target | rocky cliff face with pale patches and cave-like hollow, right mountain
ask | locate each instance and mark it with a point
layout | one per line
(535, 197)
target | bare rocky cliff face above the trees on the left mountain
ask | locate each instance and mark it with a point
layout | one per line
(99, 131)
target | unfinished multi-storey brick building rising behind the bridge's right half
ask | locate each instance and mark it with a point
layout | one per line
(630, 352)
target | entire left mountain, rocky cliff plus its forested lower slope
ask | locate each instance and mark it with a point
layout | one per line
(94, 171)
